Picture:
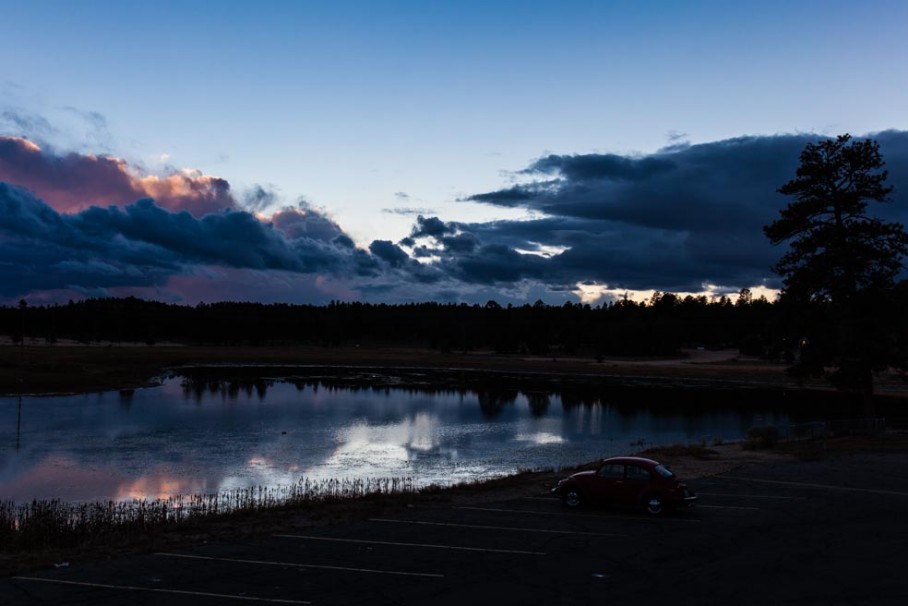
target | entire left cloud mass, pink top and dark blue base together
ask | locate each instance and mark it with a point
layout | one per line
(77, 225)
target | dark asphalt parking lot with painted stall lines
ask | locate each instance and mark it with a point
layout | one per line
(825, 532)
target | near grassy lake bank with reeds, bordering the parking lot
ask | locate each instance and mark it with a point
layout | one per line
(690, 463)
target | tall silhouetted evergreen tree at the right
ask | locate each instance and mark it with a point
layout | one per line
(839, 255)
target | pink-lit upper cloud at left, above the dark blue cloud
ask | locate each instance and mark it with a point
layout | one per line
(74, 182)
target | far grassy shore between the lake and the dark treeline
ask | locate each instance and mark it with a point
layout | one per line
(39, 369)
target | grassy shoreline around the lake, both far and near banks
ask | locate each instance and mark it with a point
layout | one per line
(43, 370)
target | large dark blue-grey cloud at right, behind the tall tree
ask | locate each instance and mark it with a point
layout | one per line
(679, 219)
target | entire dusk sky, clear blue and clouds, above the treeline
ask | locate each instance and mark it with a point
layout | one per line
(406, 151)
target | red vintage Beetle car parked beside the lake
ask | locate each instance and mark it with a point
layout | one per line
(627, 481)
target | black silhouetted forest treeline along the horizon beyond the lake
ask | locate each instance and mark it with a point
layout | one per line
(661, 326)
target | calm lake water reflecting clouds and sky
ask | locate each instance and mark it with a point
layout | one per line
(171, 439)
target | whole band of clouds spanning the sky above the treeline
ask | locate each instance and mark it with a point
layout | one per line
(683, 219)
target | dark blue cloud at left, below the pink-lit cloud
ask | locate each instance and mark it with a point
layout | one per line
(142, 244)
